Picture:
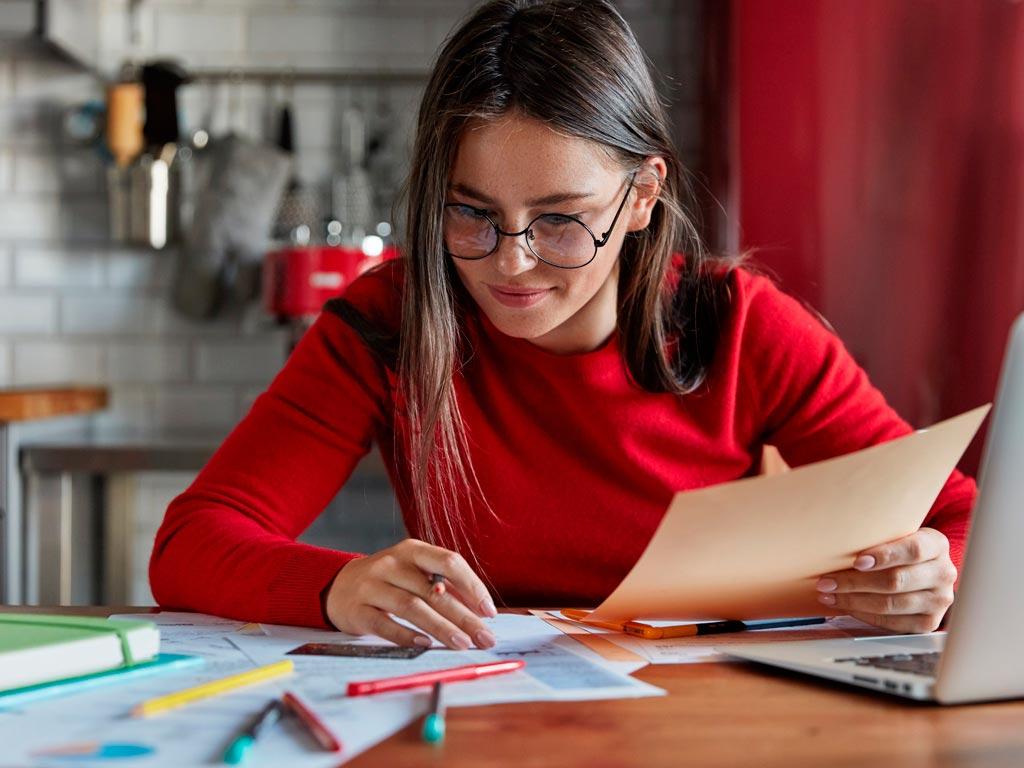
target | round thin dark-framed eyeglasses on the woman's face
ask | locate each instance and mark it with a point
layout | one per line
(556, 239)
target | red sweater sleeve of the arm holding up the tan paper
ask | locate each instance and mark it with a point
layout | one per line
(817, 403)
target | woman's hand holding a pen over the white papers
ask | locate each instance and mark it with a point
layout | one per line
(397, 581)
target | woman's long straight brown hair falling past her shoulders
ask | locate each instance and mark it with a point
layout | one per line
(575, 65)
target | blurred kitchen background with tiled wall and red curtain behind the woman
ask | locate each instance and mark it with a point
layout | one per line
(185, 183)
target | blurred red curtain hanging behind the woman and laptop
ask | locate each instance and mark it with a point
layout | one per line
(878, 164)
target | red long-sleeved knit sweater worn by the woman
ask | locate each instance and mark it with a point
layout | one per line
(578, 463)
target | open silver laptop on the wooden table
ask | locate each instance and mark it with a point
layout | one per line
(978, 658)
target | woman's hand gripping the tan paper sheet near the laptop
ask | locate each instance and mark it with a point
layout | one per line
(906, 586)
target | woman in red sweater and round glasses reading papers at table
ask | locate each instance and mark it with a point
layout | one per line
(542, 372)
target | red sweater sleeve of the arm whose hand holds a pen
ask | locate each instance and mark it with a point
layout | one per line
(228, 544)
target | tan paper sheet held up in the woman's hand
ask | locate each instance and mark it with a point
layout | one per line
(755, 548)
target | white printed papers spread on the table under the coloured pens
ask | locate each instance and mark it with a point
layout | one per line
(198, 734)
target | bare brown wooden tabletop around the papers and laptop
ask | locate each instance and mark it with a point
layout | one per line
(715, 715)
